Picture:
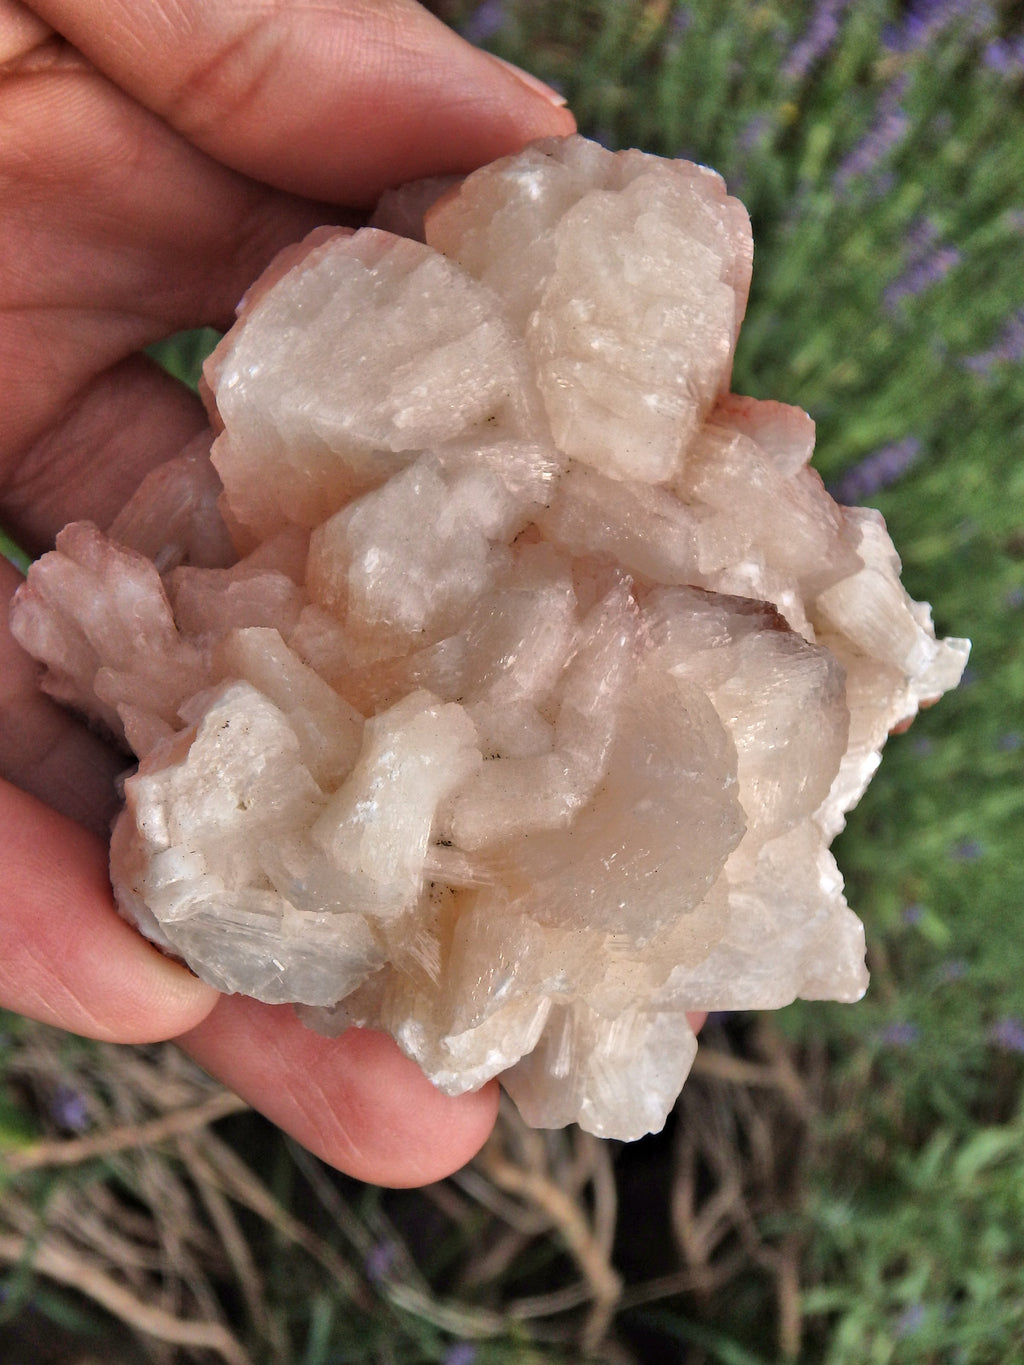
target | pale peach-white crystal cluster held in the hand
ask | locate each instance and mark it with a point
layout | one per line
(499, 679)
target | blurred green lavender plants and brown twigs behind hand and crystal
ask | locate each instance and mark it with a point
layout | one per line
(839, 1186)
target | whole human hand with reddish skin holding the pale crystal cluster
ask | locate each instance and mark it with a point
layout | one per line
(154, 159)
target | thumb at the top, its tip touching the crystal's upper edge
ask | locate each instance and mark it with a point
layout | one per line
(335, 100)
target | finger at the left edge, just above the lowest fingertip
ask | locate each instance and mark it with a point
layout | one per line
(66, 956)
